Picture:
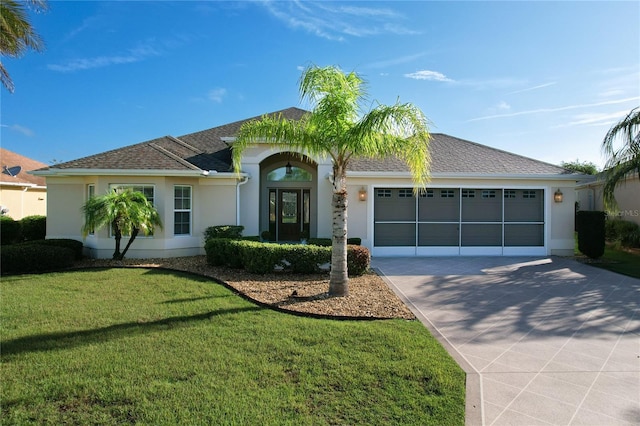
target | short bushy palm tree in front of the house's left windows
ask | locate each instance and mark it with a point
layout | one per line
(128, 212)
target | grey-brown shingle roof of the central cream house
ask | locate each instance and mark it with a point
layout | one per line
(208, 150)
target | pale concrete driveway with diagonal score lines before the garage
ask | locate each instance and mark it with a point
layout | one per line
(543, 340)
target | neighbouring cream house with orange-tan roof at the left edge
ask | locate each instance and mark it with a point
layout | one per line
(21, 194)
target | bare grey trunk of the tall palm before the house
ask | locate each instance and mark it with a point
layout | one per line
(338, 277)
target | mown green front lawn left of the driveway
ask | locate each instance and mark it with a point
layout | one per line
(136, 346)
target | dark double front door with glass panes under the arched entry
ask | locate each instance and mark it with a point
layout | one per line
(289, 214)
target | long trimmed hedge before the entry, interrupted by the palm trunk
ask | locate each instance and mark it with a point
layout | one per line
(263, 258)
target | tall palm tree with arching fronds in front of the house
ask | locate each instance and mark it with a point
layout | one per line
(337, 129)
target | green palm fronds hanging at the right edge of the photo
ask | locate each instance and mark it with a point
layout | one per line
(624, 159)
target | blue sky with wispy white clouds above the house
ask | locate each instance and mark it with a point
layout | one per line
(541, 79)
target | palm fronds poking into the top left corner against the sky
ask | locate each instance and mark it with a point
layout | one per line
(16, 33)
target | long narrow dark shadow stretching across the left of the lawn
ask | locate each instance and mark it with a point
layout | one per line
(71, 339)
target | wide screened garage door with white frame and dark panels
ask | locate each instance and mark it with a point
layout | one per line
(459, 221)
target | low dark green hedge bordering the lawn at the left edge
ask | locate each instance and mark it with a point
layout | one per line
(27, 258)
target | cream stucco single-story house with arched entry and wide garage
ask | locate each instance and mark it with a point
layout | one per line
(480, 200)
